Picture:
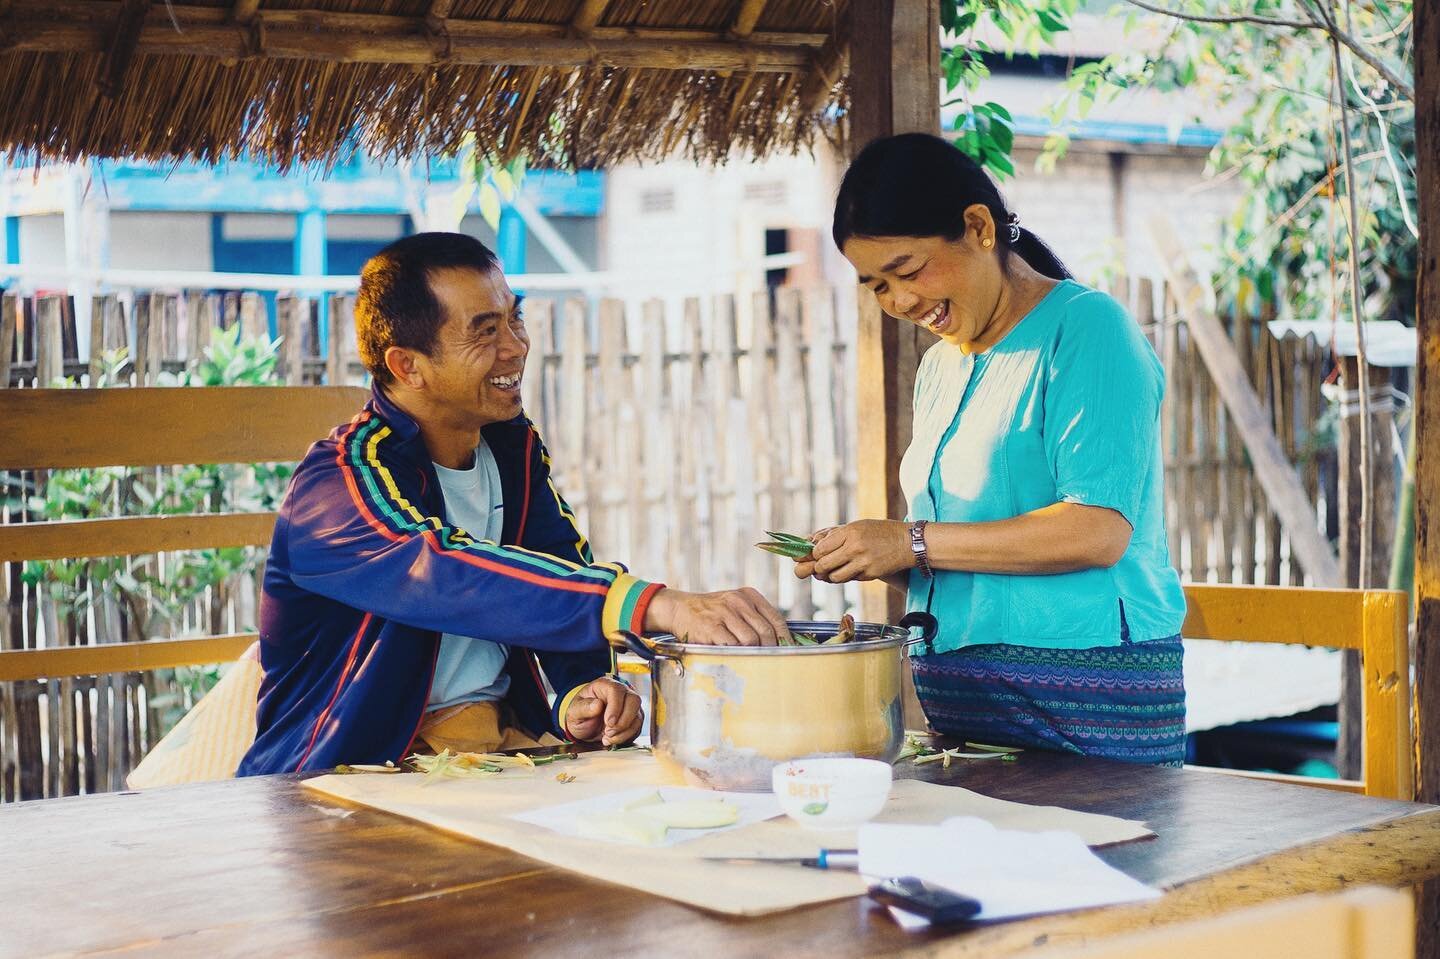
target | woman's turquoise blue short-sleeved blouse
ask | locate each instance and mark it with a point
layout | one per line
(1065, 410)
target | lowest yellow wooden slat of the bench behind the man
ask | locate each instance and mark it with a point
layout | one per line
(120, 657)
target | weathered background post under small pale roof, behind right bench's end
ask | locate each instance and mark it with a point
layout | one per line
(1383, 535)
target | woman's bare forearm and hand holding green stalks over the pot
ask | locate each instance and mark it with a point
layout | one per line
(1058, 539)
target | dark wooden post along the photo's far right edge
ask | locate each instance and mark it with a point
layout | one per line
(1428, 423)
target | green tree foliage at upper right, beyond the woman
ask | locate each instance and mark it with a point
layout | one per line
(1288, 237)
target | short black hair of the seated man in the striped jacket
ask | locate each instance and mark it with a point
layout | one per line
(397, 306)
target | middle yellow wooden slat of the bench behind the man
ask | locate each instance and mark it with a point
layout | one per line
(133, 536)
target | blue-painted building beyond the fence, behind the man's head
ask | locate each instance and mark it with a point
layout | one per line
(251, 218)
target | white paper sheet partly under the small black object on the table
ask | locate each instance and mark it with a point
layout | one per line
(1010, 873)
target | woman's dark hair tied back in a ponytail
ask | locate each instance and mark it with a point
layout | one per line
(917, 185)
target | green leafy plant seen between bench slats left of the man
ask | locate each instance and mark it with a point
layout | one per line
(156, 593)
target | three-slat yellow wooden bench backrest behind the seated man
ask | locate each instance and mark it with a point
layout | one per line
(152, 427)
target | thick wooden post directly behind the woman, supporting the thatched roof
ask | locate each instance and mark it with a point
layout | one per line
(895, 86)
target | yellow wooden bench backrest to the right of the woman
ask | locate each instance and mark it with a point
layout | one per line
(1373, 623)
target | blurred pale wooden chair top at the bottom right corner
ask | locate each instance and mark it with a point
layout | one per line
(1359, 924)
